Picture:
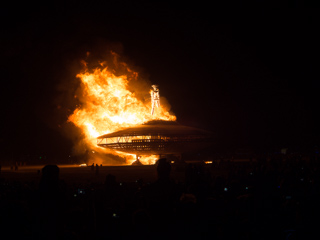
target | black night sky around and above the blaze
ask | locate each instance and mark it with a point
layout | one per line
(251, 77)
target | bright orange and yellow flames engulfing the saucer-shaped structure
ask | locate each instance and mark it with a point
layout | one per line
(108, 102)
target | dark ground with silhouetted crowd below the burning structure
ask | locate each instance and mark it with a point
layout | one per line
(274, 198)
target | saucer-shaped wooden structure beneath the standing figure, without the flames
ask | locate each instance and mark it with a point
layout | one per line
(156, 137)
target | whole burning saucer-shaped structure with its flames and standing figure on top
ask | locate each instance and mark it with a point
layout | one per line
(113, 109)
